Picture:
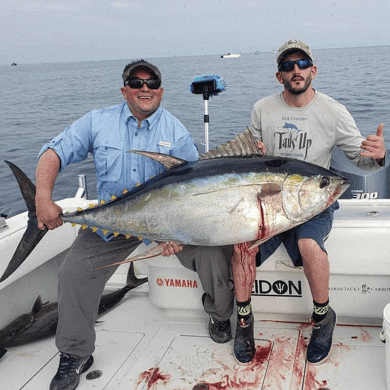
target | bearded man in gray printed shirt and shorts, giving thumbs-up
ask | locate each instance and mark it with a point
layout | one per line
(304, 124)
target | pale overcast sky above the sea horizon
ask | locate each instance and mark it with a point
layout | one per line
(34, 31)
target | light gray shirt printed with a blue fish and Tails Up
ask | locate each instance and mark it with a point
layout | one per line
(308, 133)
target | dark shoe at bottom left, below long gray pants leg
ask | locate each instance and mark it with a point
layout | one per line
(69, 371)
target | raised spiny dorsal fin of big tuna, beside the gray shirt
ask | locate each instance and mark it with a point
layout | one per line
(243, 144)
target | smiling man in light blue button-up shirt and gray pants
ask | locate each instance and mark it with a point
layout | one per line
(142, 124)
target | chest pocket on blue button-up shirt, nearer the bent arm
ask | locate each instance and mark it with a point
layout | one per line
(109, 163)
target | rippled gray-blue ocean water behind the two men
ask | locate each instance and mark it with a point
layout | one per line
(38, 101)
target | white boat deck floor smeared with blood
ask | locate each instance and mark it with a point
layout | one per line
(140, 346)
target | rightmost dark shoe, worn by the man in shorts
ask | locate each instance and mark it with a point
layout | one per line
(321, 339)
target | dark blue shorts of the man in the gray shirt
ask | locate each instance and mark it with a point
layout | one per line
(317, 228)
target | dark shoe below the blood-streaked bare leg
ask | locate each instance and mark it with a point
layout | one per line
(244, 342)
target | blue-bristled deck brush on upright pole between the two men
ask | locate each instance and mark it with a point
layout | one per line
(208, 85)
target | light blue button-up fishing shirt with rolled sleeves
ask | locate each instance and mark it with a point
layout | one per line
(111, 132)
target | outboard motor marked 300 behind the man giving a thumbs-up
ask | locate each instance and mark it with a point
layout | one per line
(363, 184)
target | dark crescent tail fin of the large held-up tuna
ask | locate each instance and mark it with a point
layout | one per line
(33, 234)
